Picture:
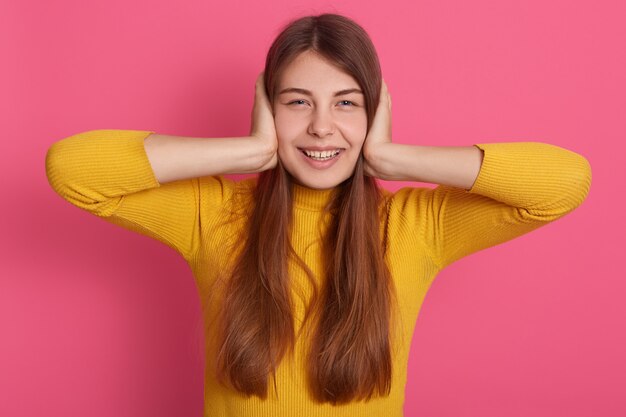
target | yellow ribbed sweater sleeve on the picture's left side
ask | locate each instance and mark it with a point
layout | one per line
(108, 174)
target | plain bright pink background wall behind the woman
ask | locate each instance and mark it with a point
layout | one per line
(98, 321)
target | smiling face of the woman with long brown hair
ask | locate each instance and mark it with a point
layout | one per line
(321, 122)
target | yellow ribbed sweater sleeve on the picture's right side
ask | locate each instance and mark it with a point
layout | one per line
(521, 186)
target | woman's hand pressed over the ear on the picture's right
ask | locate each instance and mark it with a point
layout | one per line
(378, 138)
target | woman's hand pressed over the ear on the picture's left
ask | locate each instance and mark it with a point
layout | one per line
(263, 128)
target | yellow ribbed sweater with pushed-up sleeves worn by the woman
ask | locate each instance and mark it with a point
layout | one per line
(521, 186)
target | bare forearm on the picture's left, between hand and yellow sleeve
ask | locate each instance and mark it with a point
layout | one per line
(176, 157)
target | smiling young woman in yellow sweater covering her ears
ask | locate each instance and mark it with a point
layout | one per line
(311, 276)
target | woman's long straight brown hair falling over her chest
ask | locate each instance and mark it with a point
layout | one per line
(350, 350)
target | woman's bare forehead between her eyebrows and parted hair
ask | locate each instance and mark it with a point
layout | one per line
(312, 72)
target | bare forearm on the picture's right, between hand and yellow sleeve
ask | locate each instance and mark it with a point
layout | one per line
(457, 166)
